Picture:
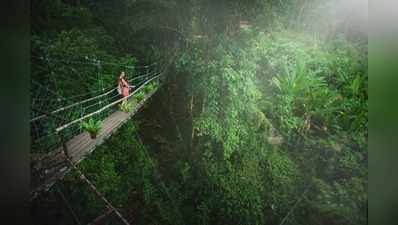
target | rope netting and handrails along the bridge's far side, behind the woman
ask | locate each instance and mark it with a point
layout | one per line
(64, 93)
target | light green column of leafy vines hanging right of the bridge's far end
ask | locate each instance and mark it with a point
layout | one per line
(229, 97)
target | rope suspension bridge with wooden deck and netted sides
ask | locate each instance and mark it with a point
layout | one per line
(58, 140)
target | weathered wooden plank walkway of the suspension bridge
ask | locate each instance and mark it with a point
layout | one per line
(48, 168)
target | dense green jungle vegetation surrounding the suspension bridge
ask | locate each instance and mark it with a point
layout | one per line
(262, 118)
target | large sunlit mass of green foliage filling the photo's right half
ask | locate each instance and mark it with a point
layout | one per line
(292, 86)
